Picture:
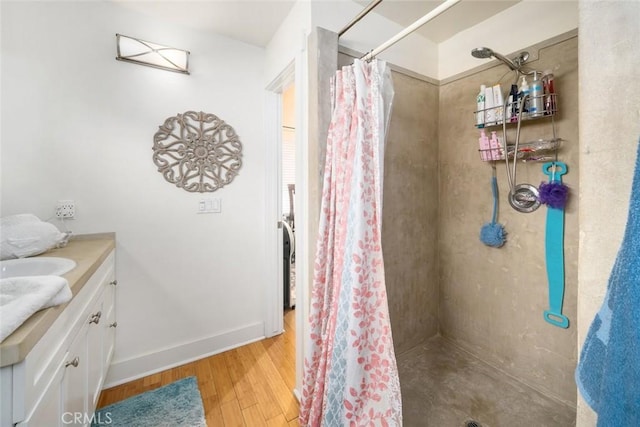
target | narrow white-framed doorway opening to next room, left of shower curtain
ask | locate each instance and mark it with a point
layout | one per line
(286, 137)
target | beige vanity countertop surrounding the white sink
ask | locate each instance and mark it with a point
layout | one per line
(88, 251)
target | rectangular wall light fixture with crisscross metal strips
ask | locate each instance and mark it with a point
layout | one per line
(150, 54)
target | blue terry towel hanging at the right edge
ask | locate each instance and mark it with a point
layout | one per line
(608, 373)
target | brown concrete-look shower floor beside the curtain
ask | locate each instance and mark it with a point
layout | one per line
(444, 386)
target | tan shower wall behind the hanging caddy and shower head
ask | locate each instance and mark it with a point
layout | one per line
(491, 301)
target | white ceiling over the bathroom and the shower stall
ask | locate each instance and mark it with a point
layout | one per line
(255, 21)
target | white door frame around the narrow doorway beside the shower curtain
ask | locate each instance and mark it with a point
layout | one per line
(294, 73)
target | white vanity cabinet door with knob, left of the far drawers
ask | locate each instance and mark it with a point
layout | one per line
(74, 381)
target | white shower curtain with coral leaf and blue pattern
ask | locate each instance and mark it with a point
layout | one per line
(351, 377)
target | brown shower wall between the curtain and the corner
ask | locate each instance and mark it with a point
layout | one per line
(410, 212)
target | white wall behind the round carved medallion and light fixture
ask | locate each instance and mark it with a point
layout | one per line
(78, 124)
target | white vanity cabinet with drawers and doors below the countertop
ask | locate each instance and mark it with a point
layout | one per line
(59, 381)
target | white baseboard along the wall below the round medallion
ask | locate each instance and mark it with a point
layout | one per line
(123, 371)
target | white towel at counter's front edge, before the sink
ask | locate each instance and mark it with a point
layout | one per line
(20, 297)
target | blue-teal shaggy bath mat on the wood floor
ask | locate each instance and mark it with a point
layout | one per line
(178, 404)
